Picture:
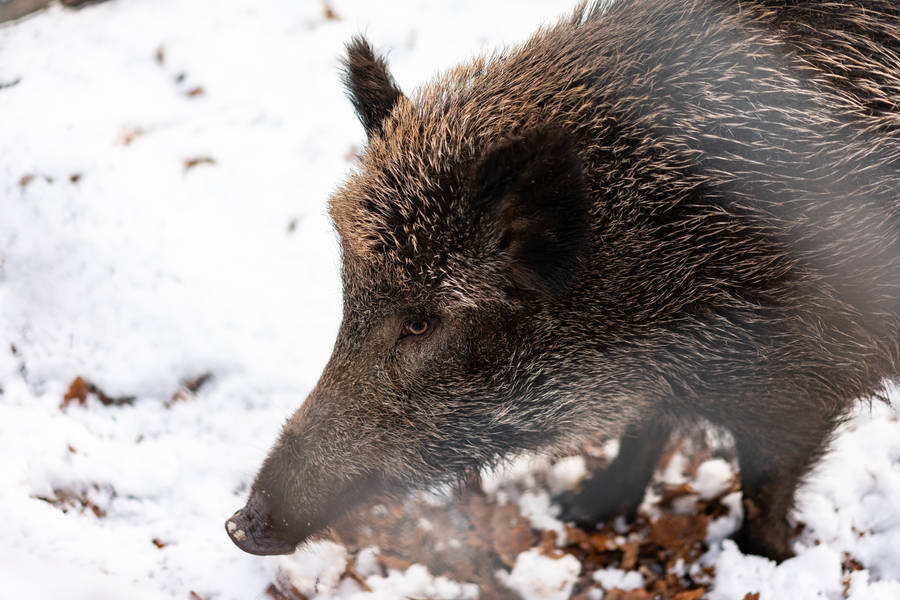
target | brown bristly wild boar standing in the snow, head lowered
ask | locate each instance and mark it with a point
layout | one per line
(654, 213)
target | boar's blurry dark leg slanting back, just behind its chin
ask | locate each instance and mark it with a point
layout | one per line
(620, 487)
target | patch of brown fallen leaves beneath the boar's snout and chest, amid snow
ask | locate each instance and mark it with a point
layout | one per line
(473, 536)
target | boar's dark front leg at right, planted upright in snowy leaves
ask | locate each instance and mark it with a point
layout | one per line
(773, 457)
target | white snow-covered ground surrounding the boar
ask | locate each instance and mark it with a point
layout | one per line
(163, 177)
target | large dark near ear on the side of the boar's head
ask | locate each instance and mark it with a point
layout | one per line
(533, 184)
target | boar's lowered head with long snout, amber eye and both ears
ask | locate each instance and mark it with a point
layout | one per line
(463, 233)
